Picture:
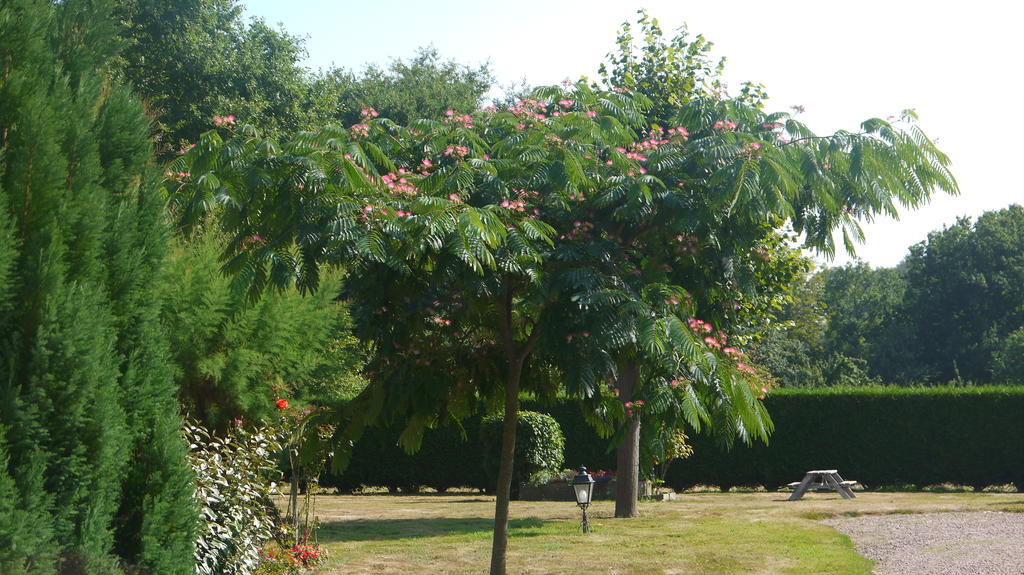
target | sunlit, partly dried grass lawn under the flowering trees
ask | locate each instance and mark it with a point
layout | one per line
(729, 534)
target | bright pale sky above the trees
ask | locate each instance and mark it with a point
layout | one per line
(960, 68)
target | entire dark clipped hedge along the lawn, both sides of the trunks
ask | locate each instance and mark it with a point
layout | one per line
(878, 436)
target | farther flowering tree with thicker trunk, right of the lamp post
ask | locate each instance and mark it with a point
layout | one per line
(719, 192)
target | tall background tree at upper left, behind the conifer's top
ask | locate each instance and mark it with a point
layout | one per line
(194, 60)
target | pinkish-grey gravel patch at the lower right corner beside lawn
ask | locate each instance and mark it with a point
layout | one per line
(943, 544)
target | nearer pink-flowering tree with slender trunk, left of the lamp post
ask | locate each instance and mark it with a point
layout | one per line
(457, 236)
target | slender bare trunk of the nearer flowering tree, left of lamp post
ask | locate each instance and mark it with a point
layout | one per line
(504, 488)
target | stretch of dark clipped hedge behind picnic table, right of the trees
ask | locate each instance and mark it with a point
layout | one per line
(878, 436)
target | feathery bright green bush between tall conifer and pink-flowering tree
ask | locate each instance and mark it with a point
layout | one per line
(236, 357)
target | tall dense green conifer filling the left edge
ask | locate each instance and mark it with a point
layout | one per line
(93, 468)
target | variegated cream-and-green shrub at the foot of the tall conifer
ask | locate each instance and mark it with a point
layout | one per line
(234, 489)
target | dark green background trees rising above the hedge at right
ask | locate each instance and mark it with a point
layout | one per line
(950, 313)
